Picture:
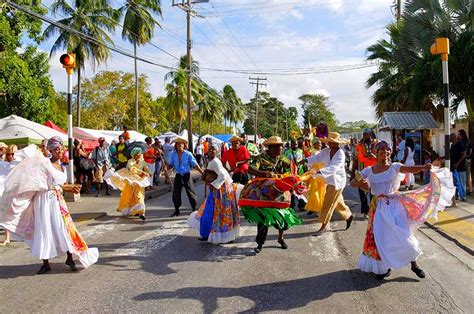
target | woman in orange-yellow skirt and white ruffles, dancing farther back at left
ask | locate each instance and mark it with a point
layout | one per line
(132, 181)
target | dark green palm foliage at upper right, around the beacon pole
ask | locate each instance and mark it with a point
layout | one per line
(409, 77)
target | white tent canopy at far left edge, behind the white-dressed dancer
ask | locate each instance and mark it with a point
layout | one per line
(18, 130)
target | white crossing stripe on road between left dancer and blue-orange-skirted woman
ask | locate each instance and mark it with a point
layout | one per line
(152, 241)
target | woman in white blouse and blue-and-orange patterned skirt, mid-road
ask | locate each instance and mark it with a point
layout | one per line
(217, 221)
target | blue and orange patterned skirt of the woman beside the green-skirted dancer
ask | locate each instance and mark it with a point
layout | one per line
(218, 218)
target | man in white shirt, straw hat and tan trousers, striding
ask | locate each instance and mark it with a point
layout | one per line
(334, 173)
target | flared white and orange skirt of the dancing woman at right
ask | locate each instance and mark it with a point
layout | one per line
(390, 242)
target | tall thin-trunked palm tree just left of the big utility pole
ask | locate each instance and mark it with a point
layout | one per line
(138, 28)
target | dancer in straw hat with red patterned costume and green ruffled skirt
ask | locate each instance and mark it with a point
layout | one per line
(268, 165)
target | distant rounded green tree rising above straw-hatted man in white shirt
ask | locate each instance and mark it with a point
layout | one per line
(316, 109)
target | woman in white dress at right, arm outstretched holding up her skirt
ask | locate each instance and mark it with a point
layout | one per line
(390, 241)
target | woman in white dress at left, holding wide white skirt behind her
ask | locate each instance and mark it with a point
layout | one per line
(34, 210)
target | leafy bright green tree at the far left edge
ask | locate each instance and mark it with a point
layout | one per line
(25, 87)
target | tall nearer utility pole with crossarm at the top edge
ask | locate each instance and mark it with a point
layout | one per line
(186, 5)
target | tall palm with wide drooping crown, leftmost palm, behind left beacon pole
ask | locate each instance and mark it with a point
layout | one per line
(94, 18)
